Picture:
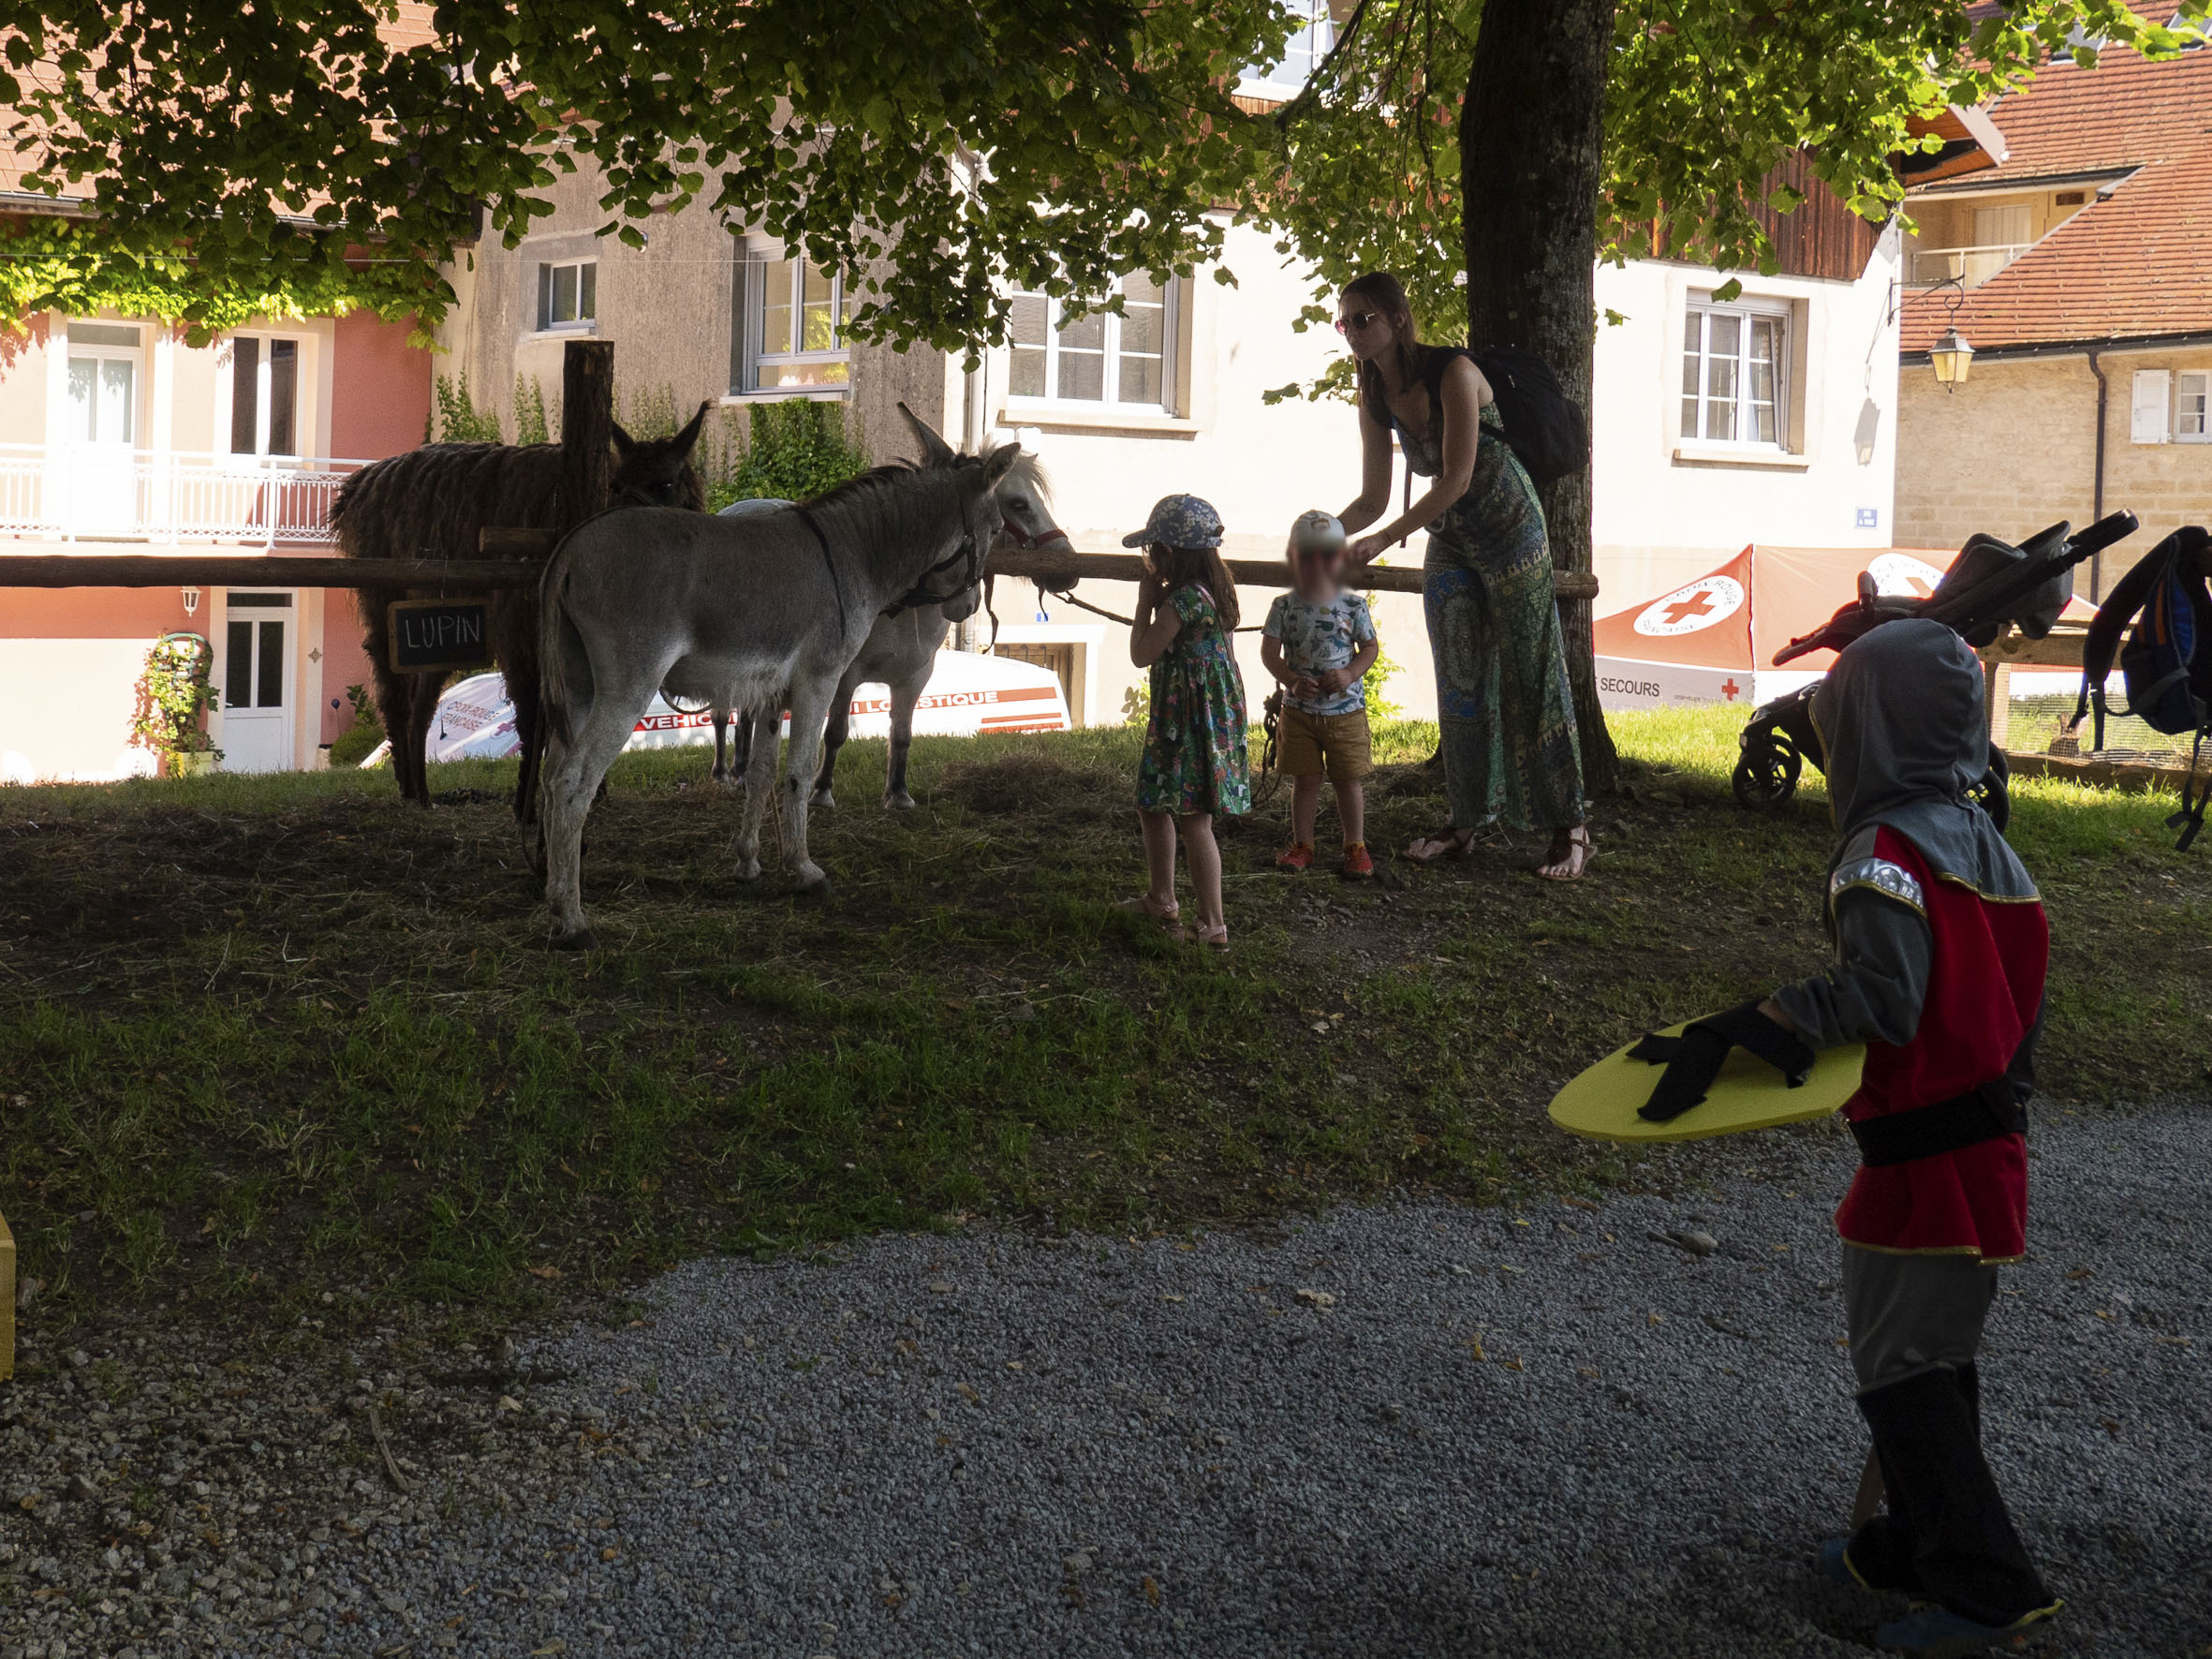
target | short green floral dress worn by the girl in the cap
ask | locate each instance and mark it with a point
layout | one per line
(1196, 755)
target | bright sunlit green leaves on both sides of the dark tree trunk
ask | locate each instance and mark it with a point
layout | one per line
(1704, 101)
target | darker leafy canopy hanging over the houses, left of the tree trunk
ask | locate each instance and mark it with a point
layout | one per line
(311, 156)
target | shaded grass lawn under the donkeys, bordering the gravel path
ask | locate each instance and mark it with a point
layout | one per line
(293, 1052)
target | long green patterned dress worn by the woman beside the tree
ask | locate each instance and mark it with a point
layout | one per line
(1505, 713)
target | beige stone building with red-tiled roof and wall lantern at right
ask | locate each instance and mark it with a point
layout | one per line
(2074, 273)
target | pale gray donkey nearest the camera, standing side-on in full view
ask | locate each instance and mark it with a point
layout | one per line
(731, 612)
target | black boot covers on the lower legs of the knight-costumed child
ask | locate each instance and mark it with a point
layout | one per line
(1945, 1534)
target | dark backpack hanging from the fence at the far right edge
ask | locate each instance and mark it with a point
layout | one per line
(2167, 662)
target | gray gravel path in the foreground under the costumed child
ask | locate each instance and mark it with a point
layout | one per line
(1397, 1432)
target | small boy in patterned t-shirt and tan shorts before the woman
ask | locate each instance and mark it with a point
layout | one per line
(1319, 645)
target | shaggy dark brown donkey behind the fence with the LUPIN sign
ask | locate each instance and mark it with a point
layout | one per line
(430, 505)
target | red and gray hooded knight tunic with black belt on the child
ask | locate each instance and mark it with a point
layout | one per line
(1941, 959)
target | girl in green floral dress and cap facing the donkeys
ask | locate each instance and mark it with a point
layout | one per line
(1196, 760)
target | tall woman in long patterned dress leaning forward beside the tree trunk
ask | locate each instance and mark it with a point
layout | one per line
(1505, 716)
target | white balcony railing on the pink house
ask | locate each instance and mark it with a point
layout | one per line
(114, 494)
